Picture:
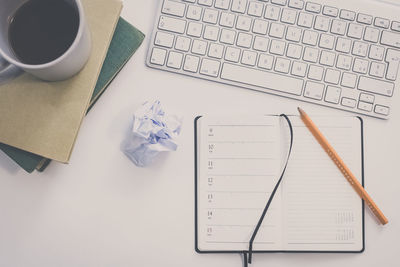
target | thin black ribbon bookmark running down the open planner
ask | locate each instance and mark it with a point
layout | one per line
(250, 252)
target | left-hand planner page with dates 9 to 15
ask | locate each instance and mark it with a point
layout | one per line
(238, 164)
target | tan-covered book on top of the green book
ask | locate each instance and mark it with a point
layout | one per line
(44, 118)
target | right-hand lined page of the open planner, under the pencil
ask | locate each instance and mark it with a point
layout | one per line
(322, 212)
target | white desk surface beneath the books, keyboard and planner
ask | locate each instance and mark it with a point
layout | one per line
(102, 210)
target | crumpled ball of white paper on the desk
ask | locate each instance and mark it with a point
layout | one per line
(153, 131)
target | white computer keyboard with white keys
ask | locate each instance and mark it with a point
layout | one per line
(340, 54)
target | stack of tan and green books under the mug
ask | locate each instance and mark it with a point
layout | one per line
(39, 121)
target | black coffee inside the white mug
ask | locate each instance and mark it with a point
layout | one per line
(42, 30)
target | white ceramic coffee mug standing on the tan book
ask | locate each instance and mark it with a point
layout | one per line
(64, 67)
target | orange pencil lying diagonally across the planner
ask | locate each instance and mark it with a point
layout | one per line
(342, 167)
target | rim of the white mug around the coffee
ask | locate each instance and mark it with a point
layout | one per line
(74, 44)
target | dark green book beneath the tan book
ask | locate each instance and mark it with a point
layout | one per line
(125, 42)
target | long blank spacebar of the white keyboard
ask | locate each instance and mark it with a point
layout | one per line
(262, 79)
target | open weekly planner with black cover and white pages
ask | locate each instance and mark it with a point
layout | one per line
(238, 162)
